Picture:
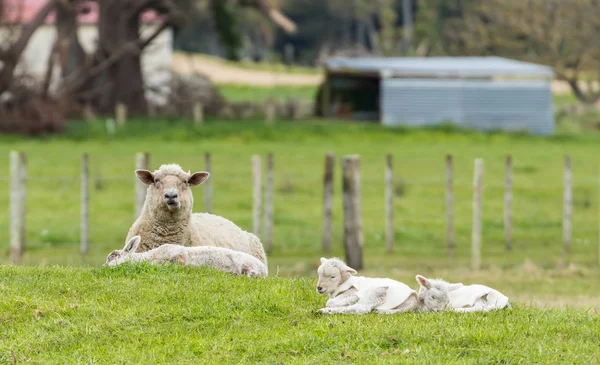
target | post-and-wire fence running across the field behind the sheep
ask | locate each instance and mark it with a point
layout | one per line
(548, 218)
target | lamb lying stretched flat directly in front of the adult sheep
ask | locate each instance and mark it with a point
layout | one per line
(221, 258)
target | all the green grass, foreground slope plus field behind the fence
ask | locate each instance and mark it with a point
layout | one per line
(60, 308)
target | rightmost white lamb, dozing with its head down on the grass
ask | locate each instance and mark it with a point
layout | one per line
(462, 298)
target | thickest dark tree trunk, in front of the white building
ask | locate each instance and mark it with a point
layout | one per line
(119, 25)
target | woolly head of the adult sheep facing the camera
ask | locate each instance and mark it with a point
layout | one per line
(169, 187)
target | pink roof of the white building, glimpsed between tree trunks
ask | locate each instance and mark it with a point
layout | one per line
(23, 11)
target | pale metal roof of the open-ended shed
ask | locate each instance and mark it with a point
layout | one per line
(456, 67)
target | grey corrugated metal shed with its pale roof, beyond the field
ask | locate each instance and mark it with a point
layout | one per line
(486, 93)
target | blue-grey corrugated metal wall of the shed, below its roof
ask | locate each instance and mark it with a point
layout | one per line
(480, 104)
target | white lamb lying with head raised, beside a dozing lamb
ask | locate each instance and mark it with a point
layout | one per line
(350, 294)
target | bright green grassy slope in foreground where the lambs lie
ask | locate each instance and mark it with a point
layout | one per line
(188, 316)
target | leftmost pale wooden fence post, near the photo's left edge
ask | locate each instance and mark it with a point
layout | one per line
(18, 188)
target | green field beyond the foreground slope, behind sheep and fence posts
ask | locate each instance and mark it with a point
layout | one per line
(535, 264)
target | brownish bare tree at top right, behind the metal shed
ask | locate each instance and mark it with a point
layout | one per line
(558, 33)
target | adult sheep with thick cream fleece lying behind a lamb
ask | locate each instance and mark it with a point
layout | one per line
(167, 216)
